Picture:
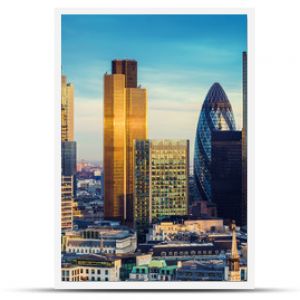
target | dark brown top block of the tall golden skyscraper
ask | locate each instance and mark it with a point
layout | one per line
(128, 68)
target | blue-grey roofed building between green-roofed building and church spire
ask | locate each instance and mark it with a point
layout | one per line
(201, 271)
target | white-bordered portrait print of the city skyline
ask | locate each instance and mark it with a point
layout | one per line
(154, 149)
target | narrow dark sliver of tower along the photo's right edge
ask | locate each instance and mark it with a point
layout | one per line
(244, 140)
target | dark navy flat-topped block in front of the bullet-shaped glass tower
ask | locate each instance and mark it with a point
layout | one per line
(226, 174)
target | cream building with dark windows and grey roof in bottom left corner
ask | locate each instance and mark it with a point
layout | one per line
(90, 267)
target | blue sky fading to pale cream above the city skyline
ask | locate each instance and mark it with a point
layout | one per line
(179, 58)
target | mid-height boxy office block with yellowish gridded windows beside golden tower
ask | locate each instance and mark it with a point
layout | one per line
(161, 174)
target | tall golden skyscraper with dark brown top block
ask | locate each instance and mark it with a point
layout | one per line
(125, 119)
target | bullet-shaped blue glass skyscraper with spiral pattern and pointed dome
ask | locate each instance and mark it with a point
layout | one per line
(216, 114)
